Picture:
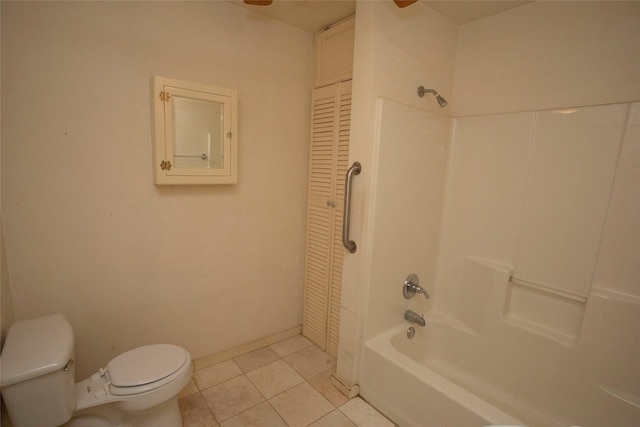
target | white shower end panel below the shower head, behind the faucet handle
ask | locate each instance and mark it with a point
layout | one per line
(412, 151)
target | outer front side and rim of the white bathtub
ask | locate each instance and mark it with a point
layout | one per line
(413, 394)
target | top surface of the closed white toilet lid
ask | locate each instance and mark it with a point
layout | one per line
(145, 365)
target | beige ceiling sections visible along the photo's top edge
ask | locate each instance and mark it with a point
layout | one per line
(314, 15)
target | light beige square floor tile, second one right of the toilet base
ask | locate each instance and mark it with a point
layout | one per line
(232, 397)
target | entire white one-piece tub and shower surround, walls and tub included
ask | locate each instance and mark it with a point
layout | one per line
(535, 308)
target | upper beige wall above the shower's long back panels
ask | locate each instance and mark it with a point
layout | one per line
(546, 55)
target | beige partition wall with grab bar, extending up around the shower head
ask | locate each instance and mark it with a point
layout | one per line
(396, 50)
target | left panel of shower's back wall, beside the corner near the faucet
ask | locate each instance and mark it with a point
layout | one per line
(486, 184)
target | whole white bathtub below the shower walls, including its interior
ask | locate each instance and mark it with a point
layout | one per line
(449, 375)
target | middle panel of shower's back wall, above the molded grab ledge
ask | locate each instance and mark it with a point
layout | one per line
(573, 164)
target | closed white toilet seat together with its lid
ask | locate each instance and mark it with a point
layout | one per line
(145, 368)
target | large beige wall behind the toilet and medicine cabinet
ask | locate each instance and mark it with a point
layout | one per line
(87, 233)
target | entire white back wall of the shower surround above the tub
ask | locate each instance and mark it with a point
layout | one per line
(552, 195)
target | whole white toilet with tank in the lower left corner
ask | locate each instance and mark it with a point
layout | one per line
(138, 388)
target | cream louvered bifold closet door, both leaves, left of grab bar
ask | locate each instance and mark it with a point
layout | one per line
(331, 111)
